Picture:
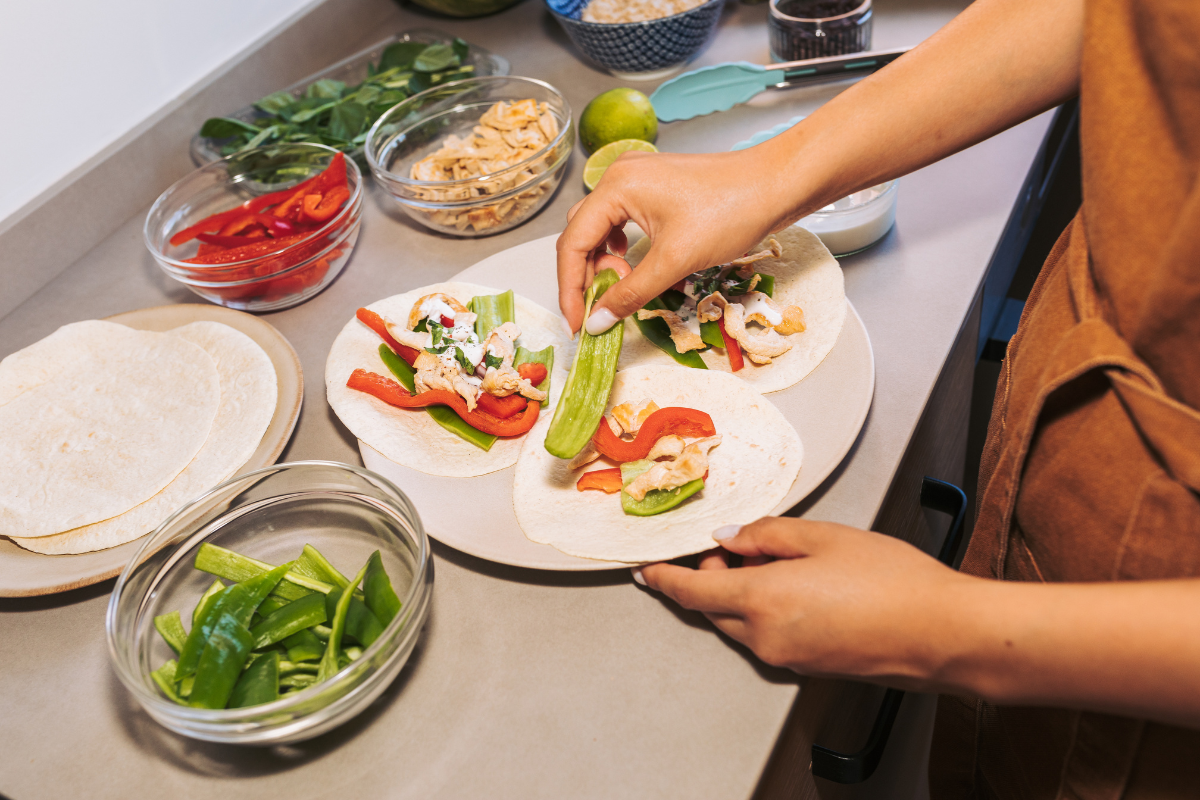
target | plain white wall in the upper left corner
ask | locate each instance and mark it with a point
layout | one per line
(80, 74)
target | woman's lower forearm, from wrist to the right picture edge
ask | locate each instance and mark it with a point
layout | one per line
(1130, 648)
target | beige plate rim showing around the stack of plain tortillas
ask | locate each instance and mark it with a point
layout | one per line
(25, 574)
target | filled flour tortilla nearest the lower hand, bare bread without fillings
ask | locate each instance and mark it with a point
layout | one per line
(751, 473)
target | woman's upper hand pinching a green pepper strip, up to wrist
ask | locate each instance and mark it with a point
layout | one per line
(698, 212)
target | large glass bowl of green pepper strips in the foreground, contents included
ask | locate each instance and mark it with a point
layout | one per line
(275, 607)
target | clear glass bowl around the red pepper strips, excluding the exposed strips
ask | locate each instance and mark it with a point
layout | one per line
(271, 282)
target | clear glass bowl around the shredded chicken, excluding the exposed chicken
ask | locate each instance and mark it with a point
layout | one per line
(472, 207)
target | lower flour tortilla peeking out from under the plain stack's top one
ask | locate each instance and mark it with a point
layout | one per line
(249, 395)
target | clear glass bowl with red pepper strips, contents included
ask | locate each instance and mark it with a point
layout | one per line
(239, 242)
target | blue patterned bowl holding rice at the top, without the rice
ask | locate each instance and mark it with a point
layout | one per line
(640, 51)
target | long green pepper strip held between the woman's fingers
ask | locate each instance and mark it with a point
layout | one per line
(589, 386)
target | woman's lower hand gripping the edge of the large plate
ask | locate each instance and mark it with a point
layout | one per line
(837, 601)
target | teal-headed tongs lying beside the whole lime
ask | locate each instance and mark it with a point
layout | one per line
(722, 87)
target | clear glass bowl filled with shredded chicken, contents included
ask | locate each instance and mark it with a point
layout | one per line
(473, 158)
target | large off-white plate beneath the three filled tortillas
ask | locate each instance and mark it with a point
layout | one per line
(475, 515)
